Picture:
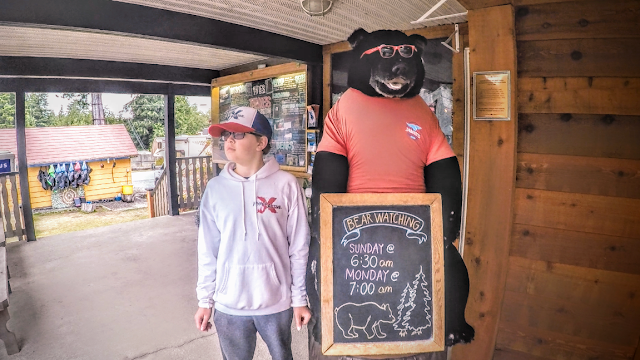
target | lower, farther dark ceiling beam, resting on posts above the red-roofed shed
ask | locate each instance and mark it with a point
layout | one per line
(56, 67)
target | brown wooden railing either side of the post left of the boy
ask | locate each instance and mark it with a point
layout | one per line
(192, 175)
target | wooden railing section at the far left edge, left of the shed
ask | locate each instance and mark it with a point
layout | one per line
(11, 210)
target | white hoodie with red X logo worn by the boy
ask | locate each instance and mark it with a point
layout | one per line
(253, 242)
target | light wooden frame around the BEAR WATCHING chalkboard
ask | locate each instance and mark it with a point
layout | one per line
(328, 202)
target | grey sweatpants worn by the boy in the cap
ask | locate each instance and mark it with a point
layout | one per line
(237, 334)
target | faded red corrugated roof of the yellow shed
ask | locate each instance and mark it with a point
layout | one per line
(49, 145)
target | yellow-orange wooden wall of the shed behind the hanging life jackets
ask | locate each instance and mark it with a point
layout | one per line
(103, 184)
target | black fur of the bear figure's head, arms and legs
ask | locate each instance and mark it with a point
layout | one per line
(369, 74)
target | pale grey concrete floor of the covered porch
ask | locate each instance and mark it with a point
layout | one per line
(125, 291)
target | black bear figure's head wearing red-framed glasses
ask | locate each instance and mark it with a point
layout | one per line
(386, 63)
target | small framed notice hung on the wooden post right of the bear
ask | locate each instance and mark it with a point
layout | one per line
(492, 95)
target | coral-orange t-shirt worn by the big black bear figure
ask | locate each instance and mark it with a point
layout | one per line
(387, 142)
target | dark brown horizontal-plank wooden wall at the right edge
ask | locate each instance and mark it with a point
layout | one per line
(573, 282)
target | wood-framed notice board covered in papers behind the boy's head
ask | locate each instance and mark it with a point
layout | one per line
(282, 100)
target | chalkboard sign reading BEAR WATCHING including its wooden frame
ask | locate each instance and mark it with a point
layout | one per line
(382, 274)
